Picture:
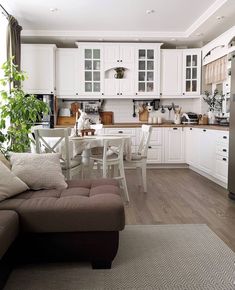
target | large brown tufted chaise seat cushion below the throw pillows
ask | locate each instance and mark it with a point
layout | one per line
(84, 206)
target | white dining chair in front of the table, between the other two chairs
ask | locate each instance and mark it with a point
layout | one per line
(111, 157)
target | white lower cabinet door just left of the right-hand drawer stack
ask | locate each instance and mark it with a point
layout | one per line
(207, 150)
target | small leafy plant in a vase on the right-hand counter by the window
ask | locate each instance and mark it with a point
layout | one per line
(214, 102)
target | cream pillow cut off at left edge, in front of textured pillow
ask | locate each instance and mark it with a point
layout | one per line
(10, 184)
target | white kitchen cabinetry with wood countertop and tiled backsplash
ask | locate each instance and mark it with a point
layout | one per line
(152, 86)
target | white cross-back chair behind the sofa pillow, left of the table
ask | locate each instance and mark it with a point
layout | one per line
(43, 138)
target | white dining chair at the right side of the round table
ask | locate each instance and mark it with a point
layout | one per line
(139, 159)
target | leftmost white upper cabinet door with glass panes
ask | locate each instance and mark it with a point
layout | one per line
(91, 70)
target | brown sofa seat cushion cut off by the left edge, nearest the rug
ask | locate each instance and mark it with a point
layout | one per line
(9, 224)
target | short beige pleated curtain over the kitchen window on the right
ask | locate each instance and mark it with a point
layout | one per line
(216, 71)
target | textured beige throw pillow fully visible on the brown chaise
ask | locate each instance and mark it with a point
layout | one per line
(38, 171)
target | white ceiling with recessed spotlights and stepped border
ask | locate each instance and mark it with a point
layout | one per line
(178, 22)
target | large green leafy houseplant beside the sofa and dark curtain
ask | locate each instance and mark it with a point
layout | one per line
(16, 109)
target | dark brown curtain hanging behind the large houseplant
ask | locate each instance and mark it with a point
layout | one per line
(13, 40)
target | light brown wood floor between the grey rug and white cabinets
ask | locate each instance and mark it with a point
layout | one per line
(181, 196)
